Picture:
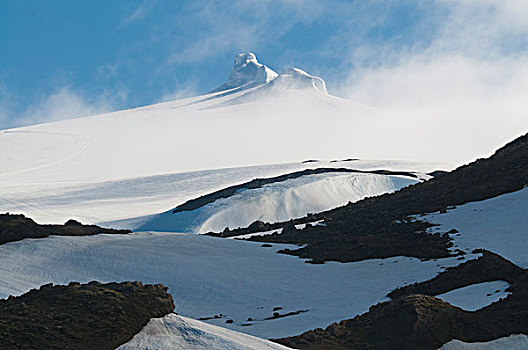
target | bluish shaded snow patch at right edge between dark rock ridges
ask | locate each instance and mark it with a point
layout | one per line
(498, 224)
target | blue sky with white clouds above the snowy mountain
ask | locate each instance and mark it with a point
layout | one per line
(61, 59)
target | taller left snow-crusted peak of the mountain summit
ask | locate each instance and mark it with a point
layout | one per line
(247, 72)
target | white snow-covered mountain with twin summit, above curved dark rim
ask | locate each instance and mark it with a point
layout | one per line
(131, 164)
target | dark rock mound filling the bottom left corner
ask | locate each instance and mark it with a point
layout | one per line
(88, 316)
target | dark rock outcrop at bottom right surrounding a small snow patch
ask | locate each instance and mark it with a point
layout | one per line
(424, 322)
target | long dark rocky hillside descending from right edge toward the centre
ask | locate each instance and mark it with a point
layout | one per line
(381, 227)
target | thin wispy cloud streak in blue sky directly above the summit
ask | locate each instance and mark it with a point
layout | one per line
(240, 26)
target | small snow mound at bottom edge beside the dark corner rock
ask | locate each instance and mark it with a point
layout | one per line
(183, 333)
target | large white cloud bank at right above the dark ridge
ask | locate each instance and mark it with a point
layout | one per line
(459, 97)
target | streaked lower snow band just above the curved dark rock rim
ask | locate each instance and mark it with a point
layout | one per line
(133, 200)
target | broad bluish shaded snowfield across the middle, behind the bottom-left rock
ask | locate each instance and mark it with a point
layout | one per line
(211, 276)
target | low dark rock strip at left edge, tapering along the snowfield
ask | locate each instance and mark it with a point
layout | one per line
(17, 227)
